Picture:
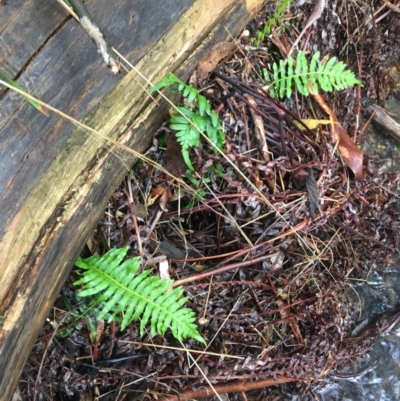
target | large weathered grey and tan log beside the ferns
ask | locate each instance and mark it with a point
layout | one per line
(55, 177)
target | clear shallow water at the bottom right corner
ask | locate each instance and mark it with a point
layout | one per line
(376, 375)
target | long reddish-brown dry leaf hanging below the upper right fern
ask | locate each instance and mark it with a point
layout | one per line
(352, 156)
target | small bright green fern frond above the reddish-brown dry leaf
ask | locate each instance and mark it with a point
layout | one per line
(330, 75)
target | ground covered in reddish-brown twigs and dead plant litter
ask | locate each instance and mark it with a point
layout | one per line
(267, 258)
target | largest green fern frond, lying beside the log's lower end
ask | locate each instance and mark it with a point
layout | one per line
(121, 290)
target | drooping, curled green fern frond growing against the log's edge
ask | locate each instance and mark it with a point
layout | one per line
(191, 121)
